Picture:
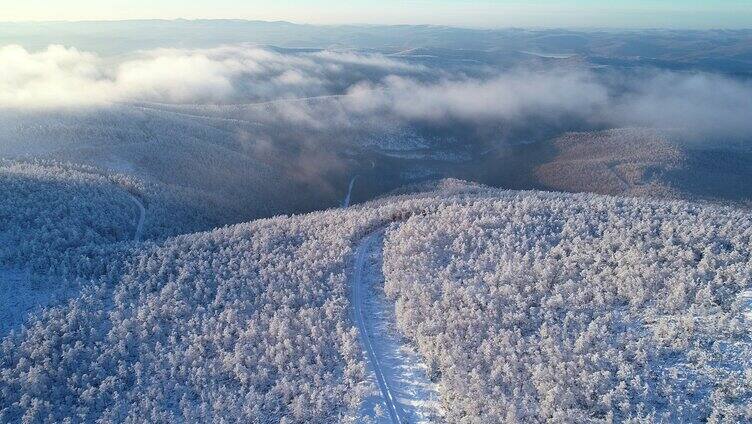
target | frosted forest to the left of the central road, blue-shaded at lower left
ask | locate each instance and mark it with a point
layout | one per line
(246, 323)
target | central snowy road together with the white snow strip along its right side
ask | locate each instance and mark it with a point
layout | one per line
(405, 393)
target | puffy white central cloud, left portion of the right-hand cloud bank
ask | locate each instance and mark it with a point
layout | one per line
(508, 96)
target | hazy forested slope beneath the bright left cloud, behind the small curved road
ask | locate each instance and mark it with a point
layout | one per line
(224, 170)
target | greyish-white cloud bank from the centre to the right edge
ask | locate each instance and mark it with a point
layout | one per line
(703, 104)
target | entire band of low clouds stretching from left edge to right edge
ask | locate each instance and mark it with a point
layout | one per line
(374, 87)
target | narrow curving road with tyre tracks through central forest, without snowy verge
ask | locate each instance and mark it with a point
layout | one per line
(393, 408)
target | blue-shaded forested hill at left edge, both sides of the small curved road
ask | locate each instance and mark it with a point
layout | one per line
(56, 217)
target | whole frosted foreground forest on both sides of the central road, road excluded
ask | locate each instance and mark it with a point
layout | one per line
(526, 306)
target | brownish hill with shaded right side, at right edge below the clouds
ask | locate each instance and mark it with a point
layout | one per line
(648, 163)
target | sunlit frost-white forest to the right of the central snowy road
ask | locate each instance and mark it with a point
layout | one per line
(539, 307)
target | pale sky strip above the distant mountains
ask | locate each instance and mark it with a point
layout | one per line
(474, 13)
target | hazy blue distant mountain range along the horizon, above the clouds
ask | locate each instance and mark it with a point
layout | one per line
(728, 51)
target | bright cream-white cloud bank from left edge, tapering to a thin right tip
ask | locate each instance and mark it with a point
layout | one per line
(61, 76)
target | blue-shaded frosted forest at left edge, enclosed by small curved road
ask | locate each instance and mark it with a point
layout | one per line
(49, 209)
